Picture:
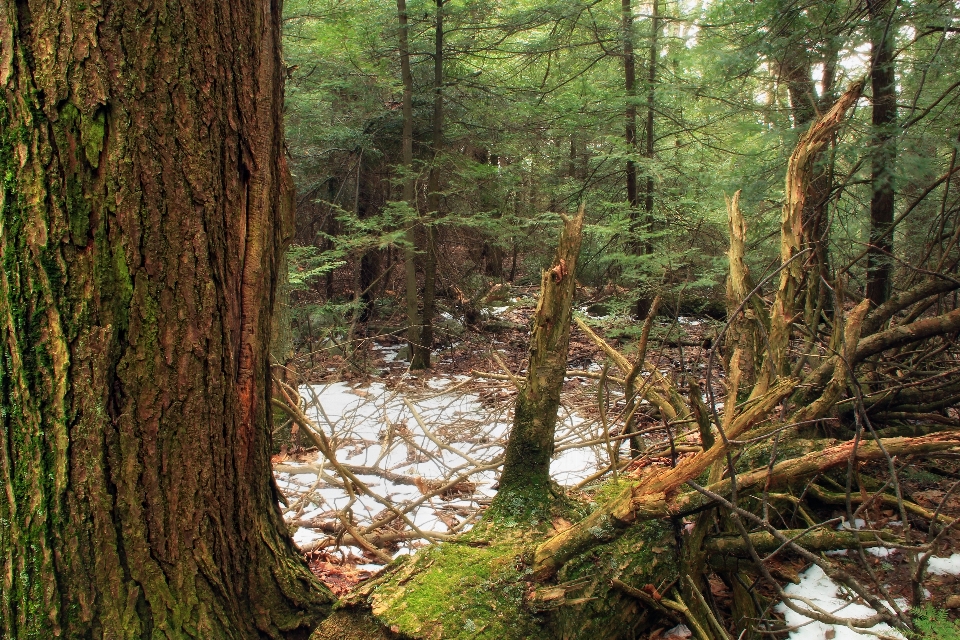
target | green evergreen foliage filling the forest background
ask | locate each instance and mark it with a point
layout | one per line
(534, 98)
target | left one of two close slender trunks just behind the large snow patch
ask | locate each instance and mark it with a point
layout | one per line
(409, 195)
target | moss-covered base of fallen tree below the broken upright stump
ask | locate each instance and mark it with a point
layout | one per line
(482, 587)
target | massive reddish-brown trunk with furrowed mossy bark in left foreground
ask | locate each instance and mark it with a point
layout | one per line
(145, 203)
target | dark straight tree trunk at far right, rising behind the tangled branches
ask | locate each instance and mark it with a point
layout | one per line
(883, 83)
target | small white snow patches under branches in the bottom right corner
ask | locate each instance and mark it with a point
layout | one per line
(829, 596)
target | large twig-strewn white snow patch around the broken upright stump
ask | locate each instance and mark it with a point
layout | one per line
(372, 426)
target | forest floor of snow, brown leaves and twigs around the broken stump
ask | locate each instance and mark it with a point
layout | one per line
(424, 444)
